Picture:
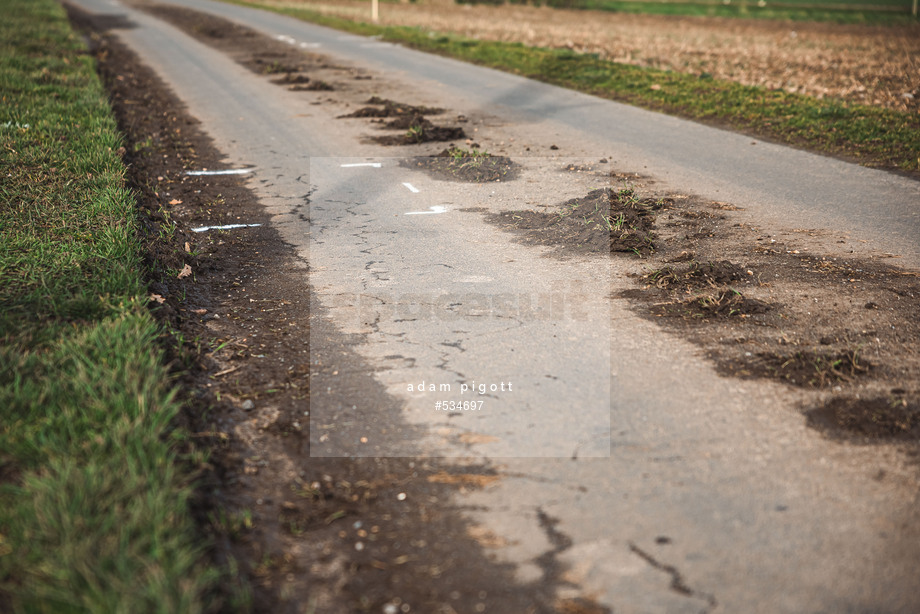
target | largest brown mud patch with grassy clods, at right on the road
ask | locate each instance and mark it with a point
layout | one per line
(760, 305)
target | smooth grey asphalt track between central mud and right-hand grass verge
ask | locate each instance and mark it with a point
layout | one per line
(780, 185)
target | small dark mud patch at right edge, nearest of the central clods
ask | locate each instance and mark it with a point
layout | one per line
(874, 419)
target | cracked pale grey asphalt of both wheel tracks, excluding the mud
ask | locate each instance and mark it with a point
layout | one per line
(702, 493)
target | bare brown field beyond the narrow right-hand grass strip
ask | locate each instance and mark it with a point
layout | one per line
(873, 65)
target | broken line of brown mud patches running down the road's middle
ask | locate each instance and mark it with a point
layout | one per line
(758, 303)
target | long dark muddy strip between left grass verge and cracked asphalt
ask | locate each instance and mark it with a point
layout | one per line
(291, 531)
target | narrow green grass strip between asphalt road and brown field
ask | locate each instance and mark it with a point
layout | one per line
(868, 135)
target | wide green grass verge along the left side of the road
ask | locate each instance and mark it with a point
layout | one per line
(93, 504)
